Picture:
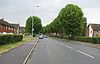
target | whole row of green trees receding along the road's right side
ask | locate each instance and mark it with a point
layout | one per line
(70, 21)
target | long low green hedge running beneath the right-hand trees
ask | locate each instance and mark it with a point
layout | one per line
(95, 40)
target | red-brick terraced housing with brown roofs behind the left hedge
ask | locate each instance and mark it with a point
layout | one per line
(7, 28)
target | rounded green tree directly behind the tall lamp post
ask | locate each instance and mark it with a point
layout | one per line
(37, 26)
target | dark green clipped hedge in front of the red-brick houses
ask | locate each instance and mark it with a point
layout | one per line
(6, 39)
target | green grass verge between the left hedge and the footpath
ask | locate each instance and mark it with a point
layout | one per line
(6, 47)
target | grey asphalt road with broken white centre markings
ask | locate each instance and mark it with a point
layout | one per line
(53, 51)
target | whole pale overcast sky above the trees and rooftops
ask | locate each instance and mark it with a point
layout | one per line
(17, 11)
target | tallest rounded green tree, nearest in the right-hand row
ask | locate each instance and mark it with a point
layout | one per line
(72, 19)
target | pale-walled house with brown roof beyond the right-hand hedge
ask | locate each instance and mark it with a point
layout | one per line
(93, 30)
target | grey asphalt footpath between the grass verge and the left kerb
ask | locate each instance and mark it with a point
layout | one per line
(18, 54)
